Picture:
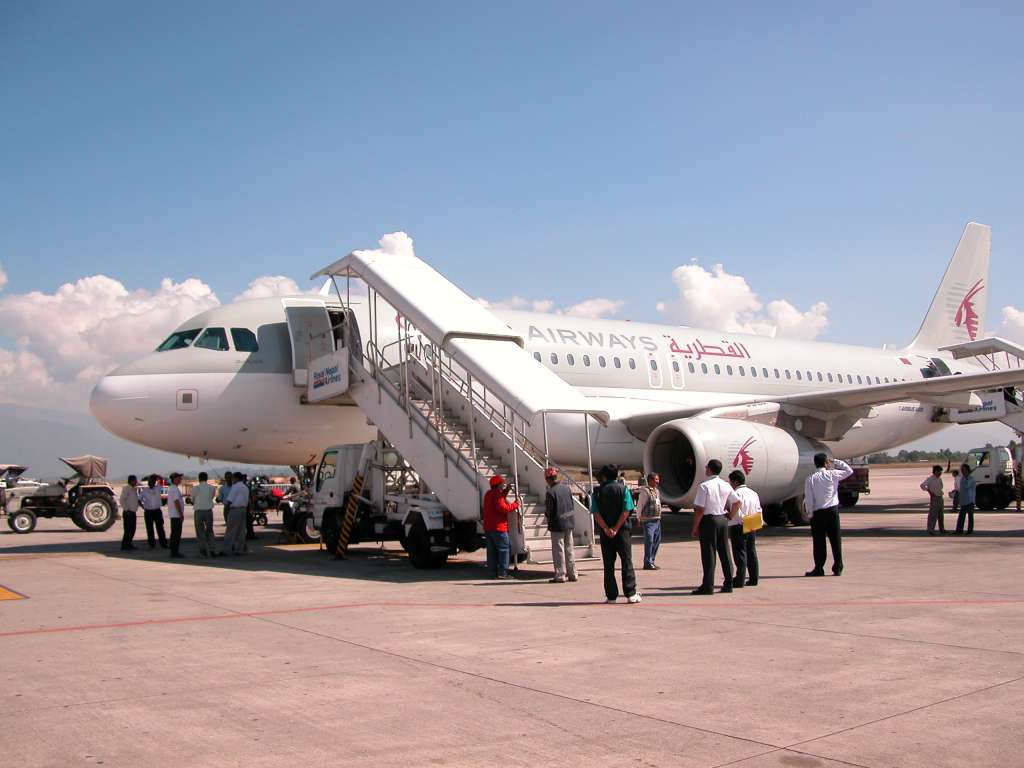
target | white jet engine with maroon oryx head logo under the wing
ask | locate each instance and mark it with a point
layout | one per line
(777, 462)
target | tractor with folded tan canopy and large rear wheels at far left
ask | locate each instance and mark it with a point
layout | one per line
(86, 497)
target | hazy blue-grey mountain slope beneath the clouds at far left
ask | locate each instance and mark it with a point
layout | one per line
(38, 438)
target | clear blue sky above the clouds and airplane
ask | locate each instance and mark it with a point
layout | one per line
(547, 150)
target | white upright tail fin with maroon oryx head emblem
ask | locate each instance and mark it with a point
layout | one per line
(958, 312)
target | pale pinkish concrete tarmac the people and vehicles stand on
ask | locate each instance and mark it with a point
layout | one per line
(915, 657)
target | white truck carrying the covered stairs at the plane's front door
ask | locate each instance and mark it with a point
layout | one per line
(392, 504)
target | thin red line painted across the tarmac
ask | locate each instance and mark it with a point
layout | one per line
(696, 604)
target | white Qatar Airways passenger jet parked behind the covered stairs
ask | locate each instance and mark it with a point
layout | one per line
(228, 383)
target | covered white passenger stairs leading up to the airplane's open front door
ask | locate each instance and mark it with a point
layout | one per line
(456, 395)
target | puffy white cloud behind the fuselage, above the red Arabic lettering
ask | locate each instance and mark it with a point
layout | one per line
(719, 301)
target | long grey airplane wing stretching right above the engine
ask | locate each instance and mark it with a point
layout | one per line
(849, 400)
